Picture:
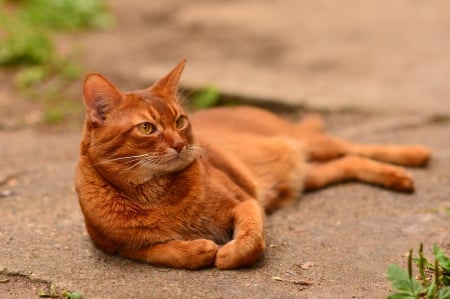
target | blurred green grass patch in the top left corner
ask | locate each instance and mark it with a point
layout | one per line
(27, 33)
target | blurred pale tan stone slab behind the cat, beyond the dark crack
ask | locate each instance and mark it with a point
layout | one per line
(369, 55)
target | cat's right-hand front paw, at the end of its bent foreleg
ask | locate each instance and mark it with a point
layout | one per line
(239, 253)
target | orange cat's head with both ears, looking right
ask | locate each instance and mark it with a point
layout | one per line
(137, 134)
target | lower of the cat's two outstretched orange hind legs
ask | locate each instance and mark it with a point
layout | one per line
(353, 167)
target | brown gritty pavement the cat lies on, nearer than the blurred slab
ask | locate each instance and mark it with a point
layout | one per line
(350, 233)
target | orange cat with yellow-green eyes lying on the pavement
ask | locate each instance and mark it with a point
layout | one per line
(191, 192)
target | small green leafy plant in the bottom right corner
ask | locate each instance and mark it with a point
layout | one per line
(431, 282)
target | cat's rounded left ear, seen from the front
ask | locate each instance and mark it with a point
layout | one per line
(100, 96)
